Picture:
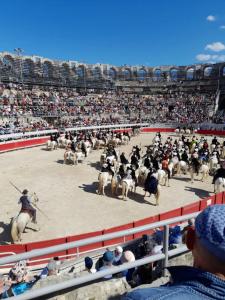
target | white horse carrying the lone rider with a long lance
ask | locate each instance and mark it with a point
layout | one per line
(19, 224)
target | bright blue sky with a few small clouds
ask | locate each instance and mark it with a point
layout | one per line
(140, 32)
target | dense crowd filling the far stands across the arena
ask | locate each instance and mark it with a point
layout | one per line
(64, 107)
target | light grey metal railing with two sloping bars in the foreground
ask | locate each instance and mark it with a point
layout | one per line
(91, 277)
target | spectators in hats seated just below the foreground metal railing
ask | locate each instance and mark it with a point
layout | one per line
(20, 279)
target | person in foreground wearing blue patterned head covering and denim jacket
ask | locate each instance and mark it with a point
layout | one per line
(206, 279)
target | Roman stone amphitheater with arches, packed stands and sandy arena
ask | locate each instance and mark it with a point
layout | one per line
(73, 106)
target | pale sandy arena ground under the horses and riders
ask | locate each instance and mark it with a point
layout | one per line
(67, 193)
